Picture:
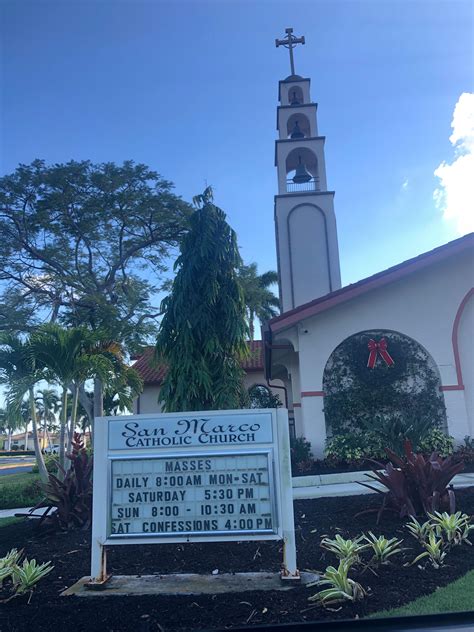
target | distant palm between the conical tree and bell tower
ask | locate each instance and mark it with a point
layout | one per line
(260, 300)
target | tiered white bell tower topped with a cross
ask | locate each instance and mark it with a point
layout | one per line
(305, 223)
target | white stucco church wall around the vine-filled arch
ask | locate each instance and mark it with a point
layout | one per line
(422, 306)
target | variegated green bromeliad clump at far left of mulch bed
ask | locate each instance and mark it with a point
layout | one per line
(23, 577)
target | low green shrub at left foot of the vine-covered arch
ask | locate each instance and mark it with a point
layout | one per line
(354, 446)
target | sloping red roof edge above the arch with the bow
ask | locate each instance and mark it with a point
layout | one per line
(291, 317)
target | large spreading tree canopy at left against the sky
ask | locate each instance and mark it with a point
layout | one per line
(76, 239)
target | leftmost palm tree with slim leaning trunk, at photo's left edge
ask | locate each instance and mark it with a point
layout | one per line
(20, 372)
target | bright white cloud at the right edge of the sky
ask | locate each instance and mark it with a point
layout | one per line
(455, 194)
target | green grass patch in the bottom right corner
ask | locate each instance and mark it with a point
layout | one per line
(456, 597)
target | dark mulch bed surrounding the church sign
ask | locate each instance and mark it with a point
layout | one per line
(70, 554)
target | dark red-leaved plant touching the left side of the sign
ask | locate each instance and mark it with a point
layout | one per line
(71, 497)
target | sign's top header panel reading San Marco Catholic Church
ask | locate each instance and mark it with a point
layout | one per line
(181, 432)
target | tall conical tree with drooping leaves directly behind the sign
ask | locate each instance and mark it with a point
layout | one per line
(202, 336)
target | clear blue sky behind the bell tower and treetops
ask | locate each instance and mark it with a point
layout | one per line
(190, 88)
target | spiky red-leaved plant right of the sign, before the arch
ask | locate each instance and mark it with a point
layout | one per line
(415, 485)
